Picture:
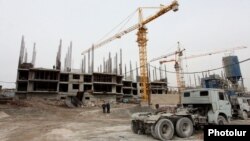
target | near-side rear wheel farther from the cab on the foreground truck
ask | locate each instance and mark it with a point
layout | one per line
(164, 129)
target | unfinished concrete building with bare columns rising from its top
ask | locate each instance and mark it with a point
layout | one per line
(109, 82)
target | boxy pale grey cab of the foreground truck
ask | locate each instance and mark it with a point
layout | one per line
(208, 103)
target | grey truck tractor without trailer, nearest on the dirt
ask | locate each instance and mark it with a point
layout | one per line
(198, 107)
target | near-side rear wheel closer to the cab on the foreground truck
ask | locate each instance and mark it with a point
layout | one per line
(184, 127)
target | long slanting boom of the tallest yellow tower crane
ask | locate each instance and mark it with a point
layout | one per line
(173, 6)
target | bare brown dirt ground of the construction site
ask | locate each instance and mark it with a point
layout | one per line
(45, 120)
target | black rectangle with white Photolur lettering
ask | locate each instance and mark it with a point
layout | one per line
(227, 132)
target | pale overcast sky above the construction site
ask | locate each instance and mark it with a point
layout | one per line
(200, 26)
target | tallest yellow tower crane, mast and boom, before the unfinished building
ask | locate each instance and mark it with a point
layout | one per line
(141, 40)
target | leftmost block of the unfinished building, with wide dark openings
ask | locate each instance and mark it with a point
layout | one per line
(37, 81)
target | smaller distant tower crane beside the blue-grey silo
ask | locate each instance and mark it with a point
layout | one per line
(178, 62)
